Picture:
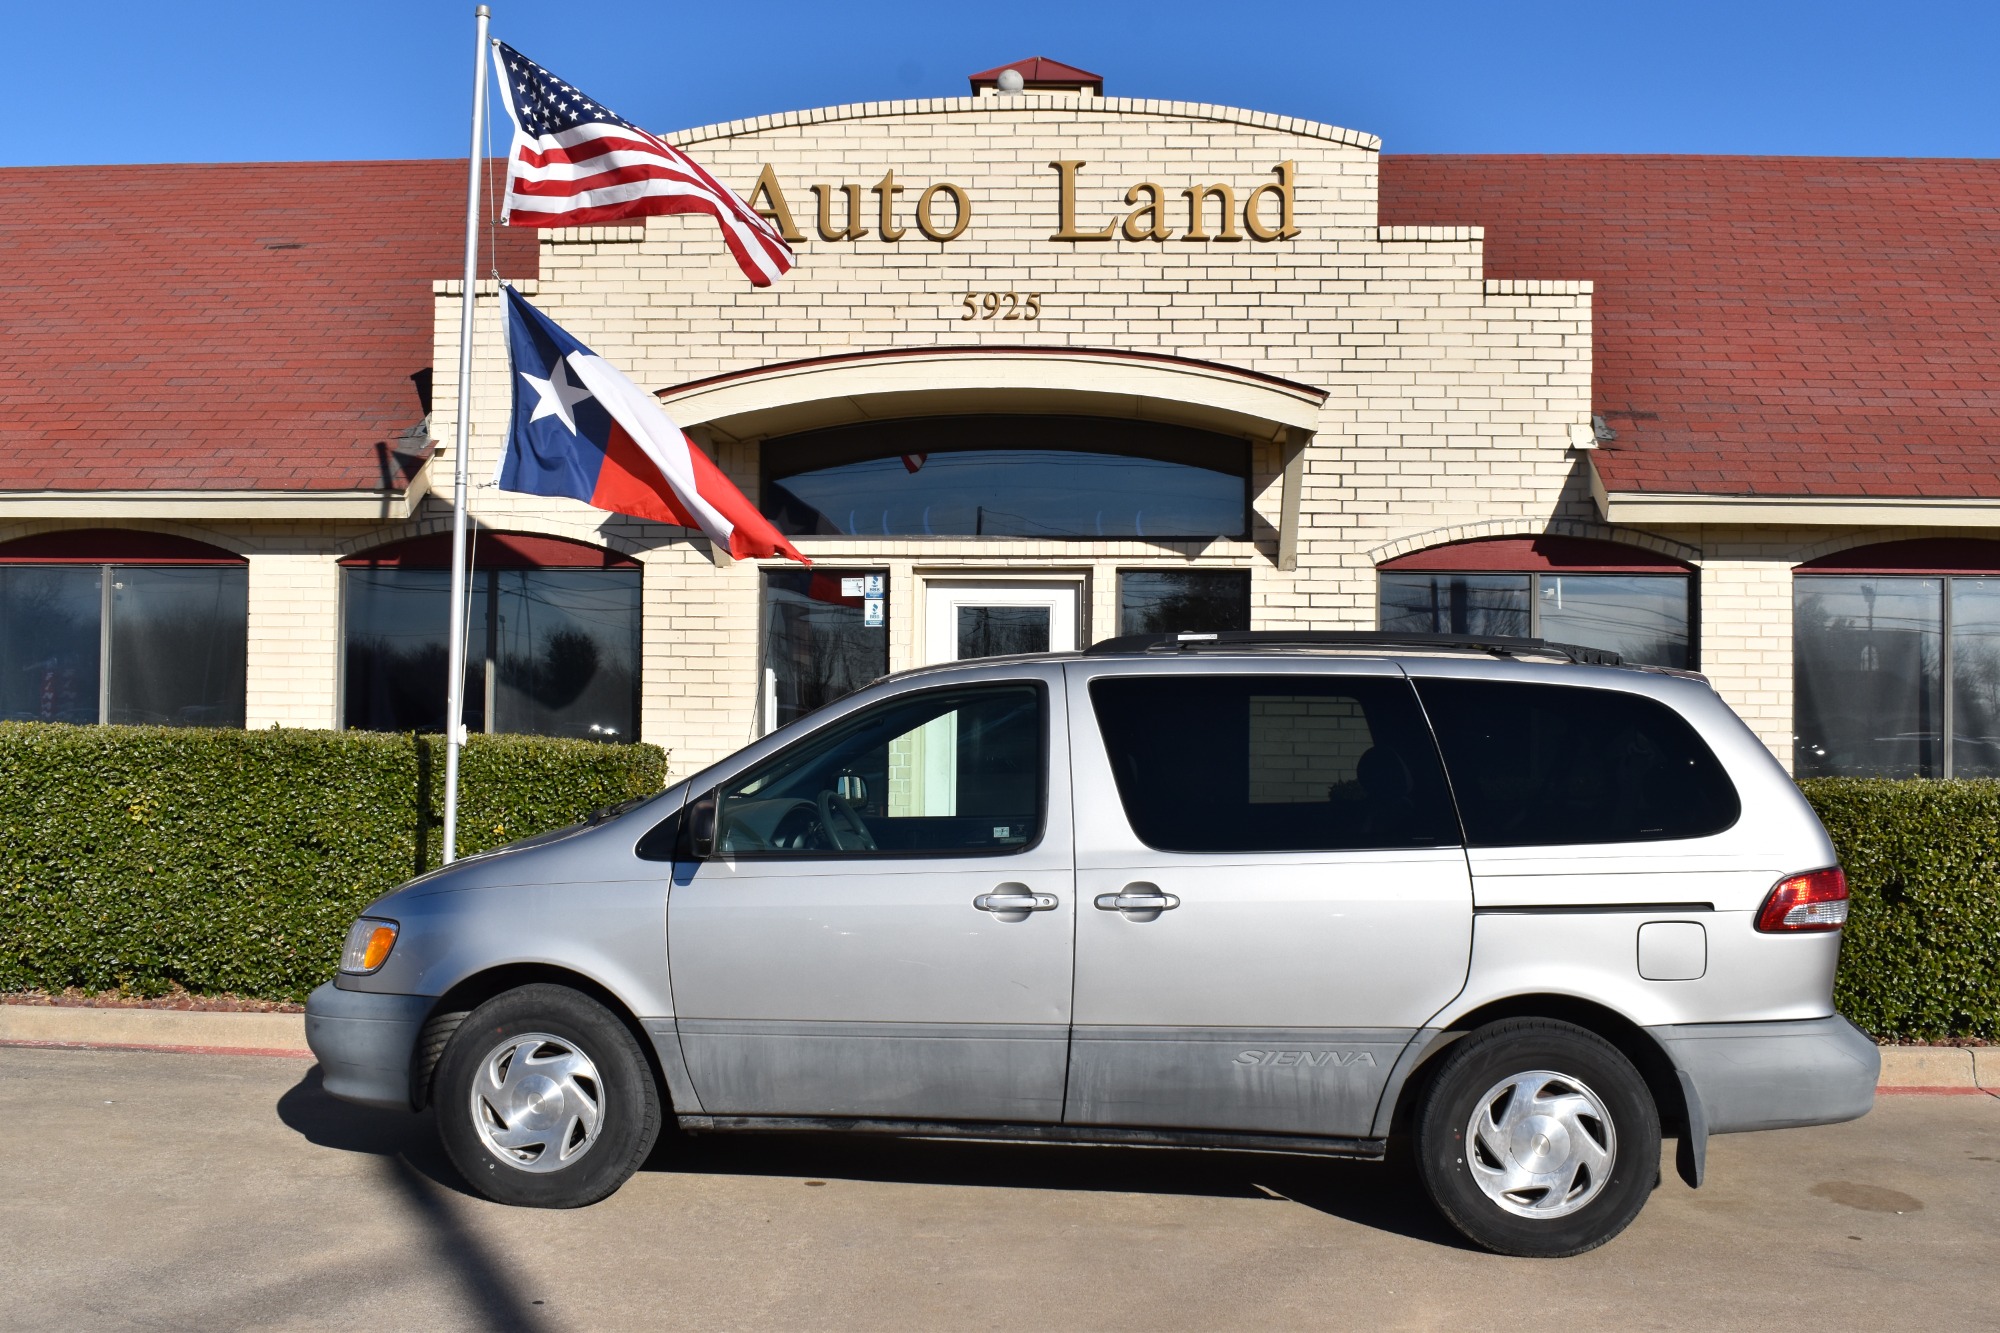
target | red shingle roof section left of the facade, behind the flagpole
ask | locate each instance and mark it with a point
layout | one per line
(223, 327)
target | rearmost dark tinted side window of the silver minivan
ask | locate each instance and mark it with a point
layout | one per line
(1561, 766)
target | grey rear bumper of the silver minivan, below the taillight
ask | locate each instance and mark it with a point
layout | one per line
(1775, 1076)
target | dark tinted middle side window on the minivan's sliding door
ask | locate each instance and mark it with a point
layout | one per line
(1273, 764)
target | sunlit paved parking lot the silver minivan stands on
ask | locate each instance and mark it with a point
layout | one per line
(189, 1192)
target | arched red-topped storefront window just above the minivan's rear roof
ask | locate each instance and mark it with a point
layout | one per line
(1589, 593)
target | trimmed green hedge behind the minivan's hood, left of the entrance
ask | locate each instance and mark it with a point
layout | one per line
(147, 858)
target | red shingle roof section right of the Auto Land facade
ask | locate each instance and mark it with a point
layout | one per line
(1807, 327)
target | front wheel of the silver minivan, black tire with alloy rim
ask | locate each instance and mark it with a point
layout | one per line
(603, 1110)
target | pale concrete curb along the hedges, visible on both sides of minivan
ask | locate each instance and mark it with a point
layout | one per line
(1905, 1070)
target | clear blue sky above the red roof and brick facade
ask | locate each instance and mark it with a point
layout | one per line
(367, 79)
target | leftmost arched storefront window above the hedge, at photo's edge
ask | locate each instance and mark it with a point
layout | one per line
(95, 641)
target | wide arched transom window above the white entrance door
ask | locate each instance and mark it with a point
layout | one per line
(1065, 477)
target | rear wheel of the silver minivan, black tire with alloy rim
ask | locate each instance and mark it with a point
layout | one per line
(1619, 1114)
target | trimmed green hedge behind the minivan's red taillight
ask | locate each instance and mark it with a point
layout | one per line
(1923, 944)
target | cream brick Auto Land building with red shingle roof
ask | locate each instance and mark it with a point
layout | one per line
(1051, 367)
